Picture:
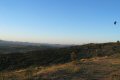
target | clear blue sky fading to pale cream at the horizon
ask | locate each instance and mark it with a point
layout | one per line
(60, 21)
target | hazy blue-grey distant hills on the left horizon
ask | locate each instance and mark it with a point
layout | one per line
(12, 46)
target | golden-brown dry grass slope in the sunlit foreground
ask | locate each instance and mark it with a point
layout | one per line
(97, 68)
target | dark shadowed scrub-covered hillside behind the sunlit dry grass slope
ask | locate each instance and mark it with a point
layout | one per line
(53, 56)
